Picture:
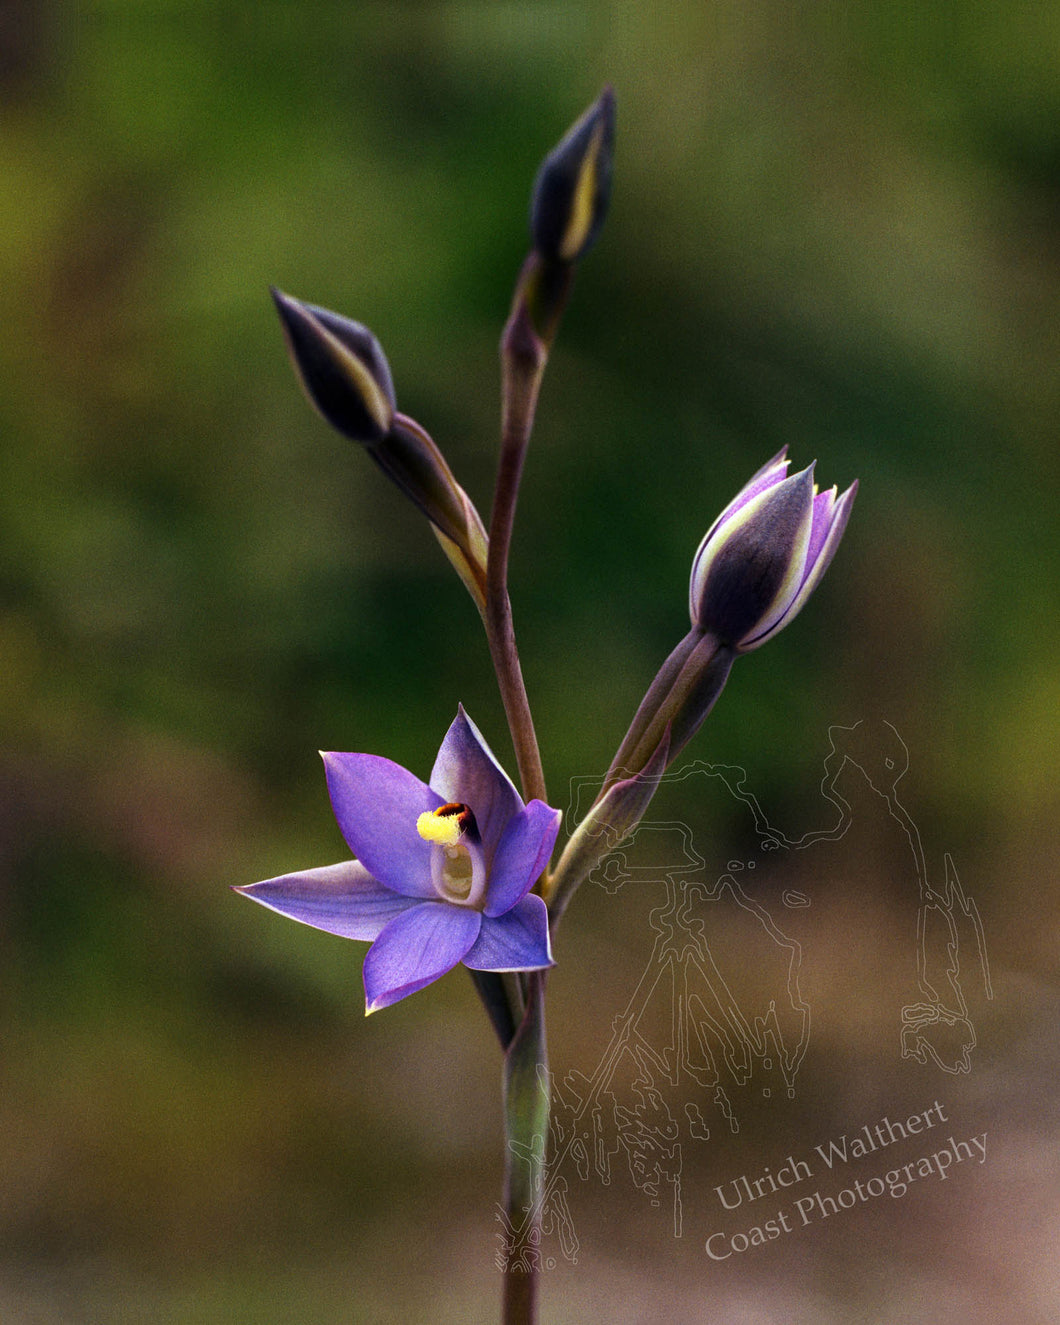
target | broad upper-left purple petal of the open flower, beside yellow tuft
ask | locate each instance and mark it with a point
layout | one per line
(377, 805)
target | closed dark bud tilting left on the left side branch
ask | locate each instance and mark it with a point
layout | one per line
(343, 369)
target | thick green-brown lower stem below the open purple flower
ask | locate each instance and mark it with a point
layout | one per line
(527, 1103)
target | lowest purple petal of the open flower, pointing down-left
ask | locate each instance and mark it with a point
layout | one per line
(415, 949)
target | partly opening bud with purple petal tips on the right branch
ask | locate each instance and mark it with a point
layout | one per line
(765, 555)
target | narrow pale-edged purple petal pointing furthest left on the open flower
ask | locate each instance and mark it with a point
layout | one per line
(340, 899)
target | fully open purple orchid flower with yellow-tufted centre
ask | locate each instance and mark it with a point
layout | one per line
(443, 871)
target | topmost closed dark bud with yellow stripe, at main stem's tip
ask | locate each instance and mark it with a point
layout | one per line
(574, 186)
